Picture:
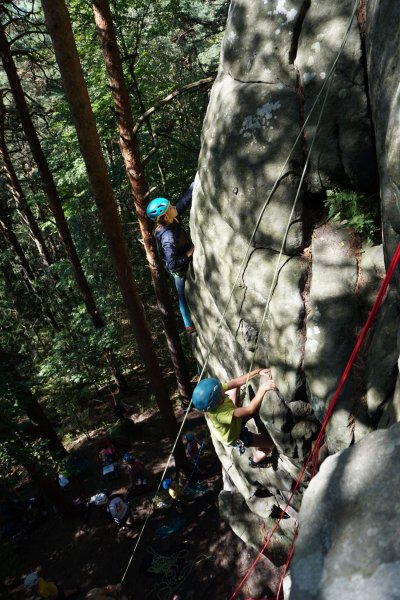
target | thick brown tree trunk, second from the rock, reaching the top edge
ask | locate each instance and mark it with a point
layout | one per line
(59, 27)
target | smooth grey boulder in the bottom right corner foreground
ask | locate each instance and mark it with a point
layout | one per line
(348, 546)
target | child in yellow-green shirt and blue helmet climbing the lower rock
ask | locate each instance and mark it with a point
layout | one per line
(228, 421)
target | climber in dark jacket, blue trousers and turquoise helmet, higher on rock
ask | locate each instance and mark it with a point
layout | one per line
(175, 244)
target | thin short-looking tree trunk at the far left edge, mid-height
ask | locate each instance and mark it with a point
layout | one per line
(17, 191)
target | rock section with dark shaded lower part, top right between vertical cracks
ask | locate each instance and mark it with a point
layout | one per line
(343, 154)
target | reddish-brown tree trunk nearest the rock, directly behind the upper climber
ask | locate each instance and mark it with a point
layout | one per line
(139, 188)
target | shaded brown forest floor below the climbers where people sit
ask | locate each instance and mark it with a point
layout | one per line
(192, 553)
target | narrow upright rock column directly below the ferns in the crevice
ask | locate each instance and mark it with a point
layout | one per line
(330, 331)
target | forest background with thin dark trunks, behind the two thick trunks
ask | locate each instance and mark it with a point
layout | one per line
(66, 334)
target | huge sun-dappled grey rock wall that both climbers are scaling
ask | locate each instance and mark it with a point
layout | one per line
(274, 282)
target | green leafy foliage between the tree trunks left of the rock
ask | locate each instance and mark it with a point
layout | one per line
(165, 45)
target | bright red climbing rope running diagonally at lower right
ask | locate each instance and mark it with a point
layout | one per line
(315, 450)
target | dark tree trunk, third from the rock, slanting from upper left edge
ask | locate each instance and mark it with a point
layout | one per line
(47, 178)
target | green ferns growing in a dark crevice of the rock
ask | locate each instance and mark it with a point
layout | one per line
(356, 210)
